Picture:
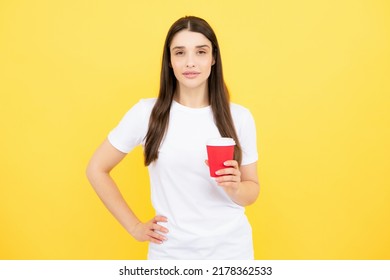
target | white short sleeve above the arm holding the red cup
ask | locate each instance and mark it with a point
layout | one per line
(246, 130)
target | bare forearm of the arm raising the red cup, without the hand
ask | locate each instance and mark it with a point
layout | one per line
(246, 194)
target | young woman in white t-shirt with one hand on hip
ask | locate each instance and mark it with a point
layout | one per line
(197, 216)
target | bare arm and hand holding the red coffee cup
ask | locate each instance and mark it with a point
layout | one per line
(240, 183)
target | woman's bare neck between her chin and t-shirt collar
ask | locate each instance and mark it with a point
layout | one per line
(193, 98)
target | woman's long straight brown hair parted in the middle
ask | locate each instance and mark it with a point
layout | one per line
(218, 93)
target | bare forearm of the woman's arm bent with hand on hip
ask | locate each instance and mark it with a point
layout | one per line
(110, 195)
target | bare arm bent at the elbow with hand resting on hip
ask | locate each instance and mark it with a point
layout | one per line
(102, 162)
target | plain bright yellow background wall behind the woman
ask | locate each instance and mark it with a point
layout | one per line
(315, 75)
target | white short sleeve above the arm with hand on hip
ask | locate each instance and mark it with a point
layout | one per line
(132, 129)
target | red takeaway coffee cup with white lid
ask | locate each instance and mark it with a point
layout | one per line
(219, 150)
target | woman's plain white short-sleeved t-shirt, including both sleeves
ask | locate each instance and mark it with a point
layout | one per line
(203, 222)
